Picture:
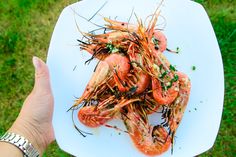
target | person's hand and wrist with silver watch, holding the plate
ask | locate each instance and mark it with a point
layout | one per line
(32, 131)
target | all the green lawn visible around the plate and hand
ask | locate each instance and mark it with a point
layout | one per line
(25, 30)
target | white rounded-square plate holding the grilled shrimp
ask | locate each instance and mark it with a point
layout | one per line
(187, 27)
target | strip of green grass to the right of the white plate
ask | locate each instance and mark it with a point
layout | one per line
(223, 17)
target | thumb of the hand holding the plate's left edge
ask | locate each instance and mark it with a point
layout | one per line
(42, 81)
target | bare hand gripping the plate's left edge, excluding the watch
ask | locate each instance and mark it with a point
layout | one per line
(35, 119)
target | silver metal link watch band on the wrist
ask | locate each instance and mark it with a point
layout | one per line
(20, 142)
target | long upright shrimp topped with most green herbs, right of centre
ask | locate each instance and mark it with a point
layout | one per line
(164, 80)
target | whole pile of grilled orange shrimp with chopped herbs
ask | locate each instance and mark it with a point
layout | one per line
(132, 80)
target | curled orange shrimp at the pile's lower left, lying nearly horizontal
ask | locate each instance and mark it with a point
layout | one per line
(95, 116)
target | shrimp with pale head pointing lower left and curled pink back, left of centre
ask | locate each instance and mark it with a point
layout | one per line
(109, 72)
